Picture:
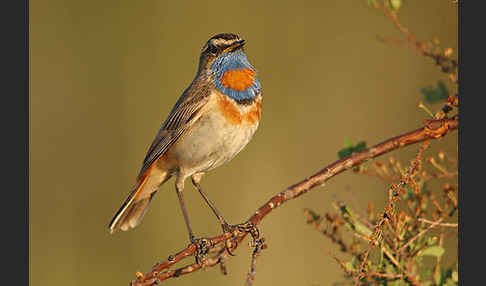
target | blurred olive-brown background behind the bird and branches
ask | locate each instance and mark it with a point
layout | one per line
(105, 74)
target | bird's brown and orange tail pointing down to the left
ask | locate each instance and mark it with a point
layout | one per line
(136, 204)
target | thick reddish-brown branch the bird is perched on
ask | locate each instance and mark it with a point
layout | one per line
(433, 129)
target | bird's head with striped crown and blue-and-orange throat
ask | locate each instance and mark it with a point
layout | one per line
(224, 62)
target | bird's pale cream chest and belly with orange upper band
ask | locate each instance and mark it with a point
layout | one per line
(223, 130)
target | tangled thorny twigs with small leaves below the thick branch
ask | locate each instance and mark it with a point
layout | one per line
(389, 229)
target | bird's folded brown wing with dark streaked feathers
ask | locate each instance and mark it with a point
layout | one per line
(186, 110)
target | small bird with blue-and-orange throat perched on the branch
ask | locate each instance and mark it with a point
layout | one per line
(211, 122)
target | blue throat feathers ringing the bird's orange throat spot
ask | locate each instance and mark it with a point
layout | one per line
(234, 61)
